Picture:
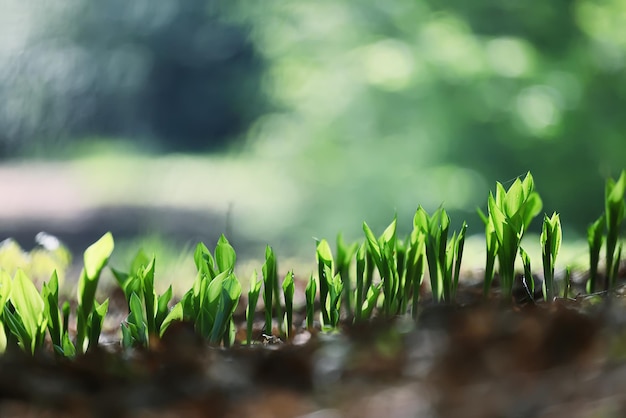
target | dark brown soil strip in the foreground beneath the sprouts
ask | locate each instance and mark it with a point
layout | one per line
(483, 359)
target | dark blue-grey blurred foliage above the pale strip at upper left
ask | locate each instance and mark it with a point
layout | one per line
(173, 75)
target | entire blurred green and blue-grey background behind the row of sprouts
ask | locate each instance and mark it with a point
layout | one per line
(287, 120)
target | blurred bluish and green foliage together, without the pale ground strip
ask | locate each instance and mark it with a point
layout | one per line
(374, 105)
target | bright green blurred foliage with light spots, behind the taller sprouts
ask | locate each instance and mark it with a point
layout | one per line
(428, 102)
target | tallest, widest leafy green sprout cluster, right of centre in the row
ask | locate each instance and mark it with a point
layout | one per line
(510, 213)
